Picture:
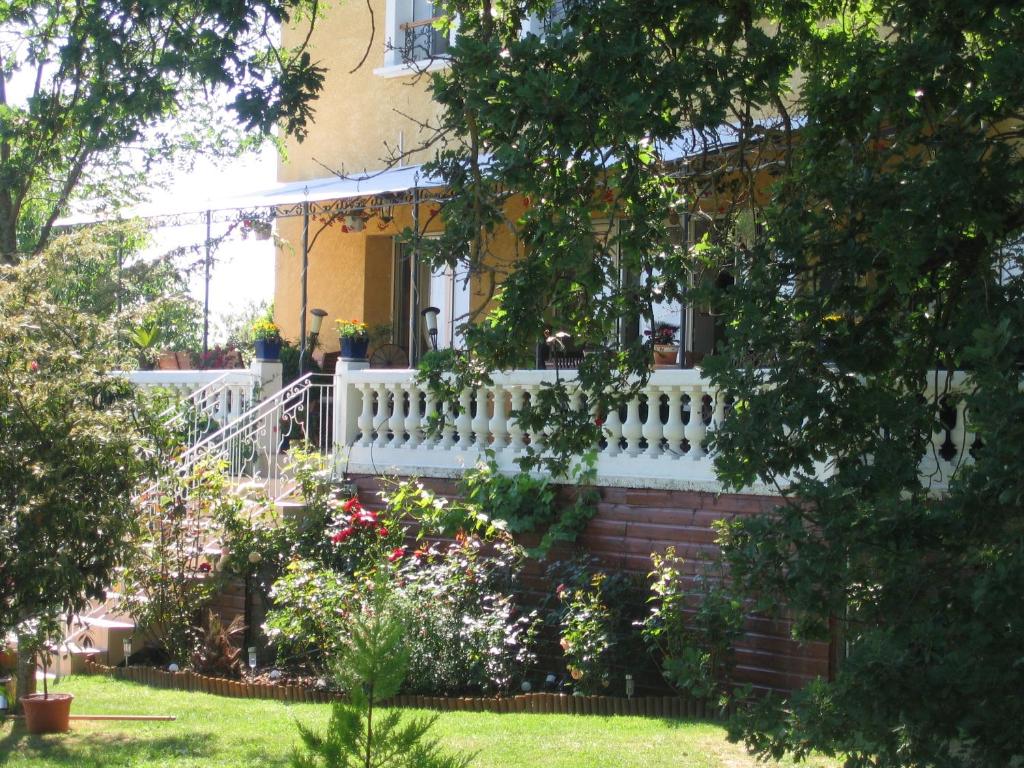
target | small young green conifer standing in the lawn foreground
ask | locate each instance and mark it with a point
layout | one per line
(372, 668)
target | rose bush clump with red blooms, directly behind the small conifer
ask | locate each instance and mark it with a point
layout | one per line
(463, 629)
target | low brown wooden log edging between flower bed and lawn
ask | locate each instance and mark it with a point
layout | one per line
(551, 704)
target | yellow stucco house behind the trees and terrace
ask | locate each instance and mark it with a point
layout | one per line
(340, 253)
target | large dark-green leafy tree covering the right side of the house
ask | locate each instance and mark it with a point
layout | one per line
(873, 251)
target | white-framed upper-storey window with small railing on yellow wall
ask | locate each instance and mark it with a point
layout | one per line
(412, 41)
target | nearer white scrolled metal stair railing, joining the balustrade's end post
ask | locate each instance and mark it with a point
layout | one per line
(255, 445)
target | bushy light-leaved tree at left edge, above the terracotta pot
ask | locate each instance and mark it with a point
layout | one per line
(72, 451)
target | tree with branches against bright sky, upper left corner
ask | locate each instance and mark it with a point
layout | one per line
(91, 94)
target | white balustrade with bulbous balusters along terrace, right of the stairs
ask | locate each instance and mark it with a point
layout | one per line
(659, 440)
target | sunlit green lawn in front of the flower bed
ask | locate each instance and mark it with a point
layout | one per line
(216, 733)
